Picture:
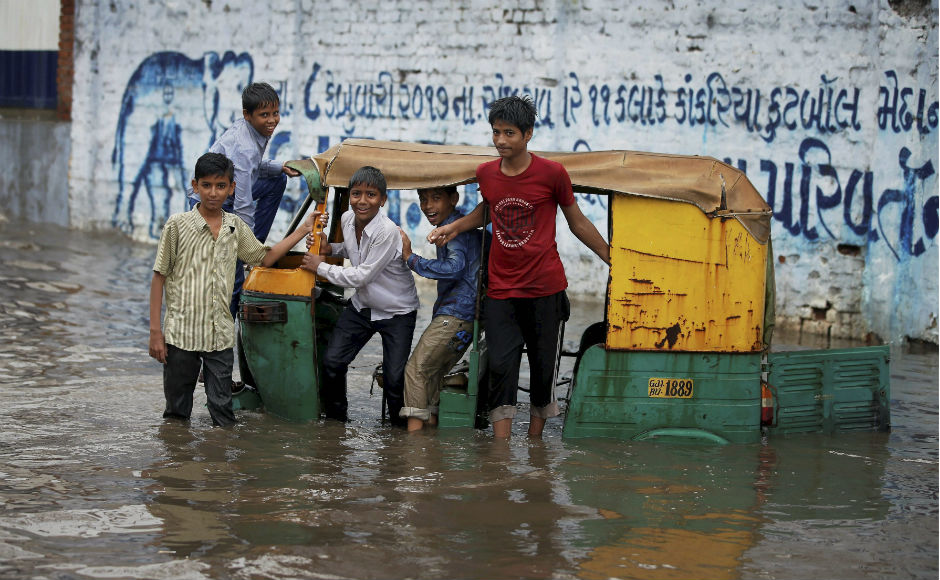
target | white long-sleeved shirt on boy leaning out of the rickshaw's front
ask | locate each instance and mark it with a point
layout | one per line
(383, 282)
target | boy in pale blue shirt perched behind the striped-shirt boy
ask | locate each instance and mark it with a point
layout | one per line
(259, 183)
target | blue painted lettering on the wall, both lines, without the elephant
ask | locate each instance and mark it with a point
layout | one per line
(812, 199)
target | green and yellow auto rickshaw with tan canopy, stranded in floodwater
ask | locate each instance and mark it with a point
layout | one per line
(683, 350)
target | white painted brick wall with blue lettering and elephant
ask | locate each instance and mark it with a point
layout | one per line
(830, 106)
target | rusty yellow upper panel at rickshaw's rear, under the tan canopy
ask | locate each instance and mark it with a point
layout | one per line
(682, 281)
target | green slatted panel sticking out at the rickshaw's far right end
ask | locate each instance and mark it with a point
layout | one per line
(830, 390)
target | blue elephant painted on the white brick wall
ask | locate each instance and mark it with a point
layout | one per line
(167, 92)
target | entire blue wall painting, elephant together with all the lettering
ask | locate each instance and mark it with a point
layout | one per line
(814, 196)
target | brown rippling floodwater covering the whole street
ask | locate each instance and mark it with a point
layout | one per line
(94, 484)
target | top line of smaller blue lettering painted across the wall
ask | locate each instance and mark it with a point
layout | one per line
(832, 107)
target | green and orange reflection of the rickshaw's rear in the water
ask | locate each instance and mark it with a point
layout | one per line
(706, 512)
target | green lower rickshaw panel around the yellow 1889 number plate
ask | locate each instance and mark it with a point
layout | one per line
(611, 396)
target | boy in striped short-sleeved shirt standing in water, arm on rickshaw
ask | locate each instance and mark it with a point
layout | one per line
(195, 269)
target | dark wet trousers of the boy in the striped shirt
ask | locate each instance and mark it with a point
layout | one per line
(179, 382)
